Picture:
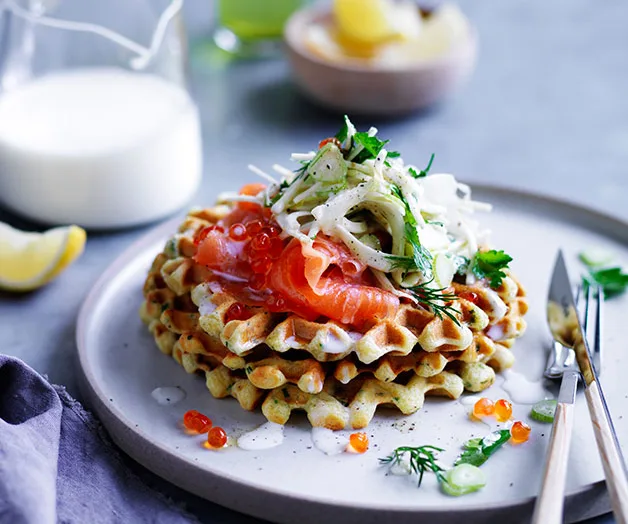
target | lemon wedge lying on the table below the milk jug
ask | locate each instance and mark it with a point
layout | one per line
(30, 260)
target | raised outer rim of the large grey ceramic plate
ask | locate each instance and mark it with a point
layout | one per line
(88, 383)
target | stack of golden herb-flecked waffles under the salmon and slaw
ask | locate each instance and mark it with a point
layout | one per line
(337, 375)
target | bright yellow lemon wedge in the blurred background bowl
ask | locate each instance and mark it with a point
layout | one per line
(372, 22)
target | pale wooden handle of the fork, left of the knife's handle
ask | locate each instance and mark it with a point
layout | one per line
(549, 504)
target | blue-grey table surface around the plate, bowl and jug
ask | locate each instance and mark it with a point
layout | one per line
(545, 111)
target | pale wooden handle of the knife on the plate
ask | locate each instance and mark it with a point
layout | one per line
(610, 453)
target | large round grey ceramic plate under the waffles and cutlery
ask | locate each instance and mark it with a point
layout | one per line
(295, 482)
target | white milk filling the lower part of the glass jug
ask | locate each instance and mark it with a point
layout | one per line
(99, 147)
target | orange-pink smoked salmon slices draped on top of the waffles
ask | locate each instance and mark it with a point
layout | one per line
(321, 279)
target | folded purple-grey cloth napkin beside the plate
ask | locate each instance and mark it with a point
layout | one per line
(58, 465)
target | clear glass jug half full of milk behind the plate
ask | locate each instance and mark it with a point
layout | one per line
(96, 125)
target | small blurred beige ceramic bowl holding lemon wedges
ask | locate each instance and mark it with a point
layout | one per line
(374, 89)
